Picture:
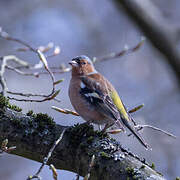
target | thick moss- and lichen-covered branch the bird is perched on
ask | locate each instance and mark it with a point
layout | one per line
(34, 134)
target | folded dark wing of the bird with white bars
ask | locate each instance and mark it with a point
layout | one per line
(96, 93)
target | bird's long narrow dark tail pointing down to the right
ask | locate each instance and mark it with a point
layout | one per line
(135, 132)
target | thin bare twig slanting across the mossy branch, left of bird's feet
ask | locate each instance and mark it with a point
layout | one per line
(47, 157)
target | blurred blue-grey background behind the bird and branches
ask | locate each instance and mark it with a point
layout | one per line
(95, 28)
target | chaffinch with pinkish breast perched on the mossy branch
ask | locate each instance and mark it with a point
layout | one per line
(96, 100)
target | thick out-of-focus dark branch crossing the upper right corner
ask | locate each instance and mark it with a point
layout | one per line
(162, 35)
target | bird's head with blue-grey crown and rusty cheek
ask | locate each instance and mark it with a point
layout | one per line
(82, 65)
